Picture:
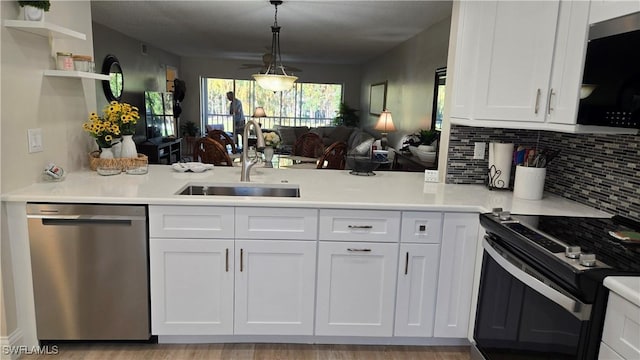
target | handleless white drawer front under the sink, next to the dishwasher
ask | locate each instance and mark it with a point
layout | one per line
(196, 222)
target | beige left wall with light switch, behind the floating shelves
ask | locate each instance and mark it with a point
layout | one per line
(56, 105)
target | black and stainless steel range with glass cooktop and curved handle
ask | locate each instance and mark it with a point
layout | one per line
(541, 294)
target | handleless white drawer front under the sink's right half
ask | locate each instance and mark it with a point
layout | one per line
(276, 223)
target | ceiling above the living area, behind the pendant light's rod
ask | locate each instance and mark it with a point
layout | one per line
(325, 32)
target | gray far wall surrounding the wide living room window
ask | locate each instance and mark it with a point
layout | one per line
(192, 69)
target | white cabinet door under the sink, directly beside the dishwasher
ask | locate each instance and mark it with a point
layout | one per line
(191, 286)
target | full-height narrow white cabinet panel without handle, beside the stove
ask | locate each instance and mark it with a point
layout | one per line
(455, 277)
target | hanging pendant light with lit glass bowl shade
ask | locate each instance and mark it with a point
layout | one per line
(275, 78)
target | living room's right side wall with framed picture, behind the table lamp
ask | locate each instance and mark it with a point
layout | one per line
(409, 70)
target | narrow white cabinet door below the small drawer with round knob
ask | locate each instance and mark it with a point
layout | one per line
(417, 284)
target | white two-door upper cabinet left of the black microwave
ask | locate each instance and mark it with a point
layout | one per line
(519, 64)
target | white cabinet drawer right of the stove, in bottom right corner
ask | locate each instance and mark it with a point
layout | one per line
(622, 327)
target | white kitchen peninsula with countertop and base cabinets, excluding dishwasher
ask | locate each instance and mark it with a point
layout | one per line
(338, 264)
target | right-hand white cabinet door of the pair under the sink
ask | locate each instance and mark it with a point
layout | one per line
(275, 287)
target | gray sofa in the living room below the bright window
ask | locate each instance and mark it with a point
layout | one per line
(358, 141)
